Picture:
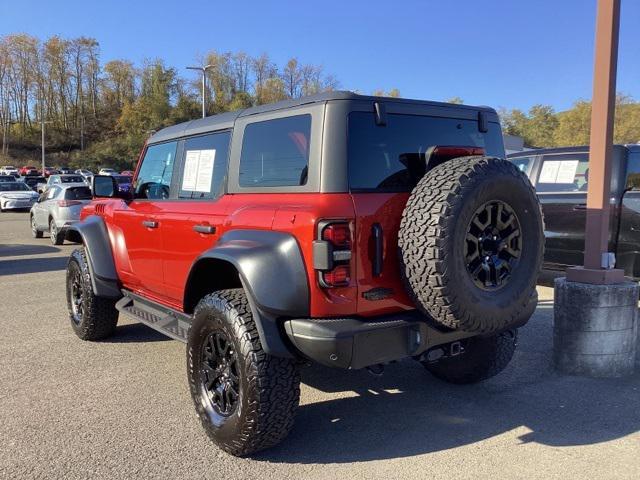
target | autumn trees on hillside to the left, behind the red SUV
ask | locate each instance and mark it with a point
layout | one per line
(100, 114)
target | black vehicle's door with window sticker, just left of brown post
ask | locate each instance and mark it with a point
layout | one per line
(561, 185)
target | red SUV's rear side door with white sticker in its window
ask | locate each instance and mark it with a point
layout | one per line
(193, 222)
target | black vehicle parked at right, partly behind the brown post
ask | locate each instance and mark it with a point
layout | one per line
(561, 178)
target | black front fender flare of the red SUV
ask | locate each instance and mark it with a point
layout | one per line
(93, 234)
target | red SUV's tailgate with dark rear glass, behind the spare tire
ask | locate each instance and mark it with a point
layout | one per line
(385, 163)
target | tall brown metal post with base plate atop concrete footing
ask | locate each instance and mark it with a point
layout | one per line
(597, 268)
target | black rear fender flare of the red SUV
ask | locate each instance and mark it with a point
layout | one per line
(273, 274)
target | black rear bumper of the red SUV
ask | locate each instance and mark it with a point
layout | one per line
(357, 343)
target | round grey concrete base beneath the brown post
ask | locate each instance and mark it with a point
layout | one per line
(595, 331)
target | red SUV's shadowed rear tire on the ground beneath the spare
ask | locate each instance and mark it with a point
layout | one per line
(482, 358)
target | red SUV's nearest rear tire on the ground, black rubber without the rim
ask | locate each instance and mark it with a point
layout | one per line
(269, 387)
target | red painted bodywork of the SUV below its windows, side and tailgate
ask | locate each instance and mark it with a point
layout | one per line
(155, 262)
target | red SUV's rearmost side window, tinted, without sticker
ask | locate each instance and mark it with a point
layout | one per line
(275, 153)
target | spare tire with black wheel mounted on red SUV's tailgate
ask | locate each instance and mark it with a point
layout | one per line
(471, 245)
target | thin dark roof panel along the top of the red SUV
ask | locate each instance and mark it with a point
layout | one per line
(226, 120)
